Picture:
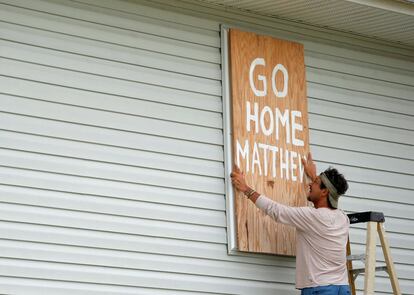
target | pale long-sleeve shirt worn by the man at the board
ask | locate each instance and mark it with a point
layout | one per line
(321, 237)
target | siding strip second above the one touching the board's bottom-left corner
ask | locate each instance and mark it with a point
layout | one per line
(111, 206)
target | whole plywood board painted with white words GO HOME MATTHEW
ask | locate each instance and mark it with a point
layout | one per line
(270, 134)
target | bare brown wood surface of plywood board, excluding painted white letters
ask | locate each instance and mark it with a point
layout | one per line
(255, 231)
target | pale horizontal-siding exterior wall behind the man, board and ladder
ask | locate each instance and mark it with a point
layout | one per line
(111, 142)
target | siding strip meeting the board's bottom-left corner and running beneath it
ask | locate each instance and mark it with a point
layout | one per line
(133, 243)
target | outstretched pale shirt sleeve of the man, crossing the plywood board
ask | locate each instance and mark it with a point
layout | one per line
(300, 217)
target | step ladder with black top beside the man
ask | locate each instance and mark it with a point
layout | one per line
(375, 222)
